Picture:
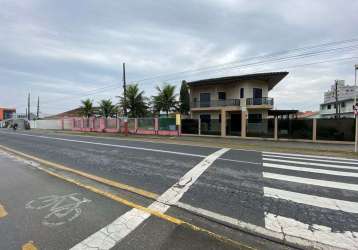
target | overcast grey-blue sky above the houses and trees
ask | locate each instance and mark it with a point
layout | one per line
(63, 50)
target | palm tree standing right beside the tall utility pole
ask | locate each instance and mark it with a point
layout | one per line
(135, 102)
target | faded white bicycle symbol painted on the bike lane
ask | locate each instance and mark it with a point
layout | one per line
(63, 208)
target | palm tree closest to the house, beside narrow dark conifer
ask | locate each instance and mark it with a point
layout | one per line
(165, 100)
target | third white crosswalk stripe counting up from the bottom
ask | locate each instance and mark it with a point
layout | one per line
(322, 183)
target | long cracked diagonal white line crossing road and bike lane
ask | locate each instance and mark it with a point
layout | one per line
(109, 236)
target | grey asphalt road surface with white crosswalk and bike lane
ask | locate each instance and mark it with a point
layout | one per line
(298, 199)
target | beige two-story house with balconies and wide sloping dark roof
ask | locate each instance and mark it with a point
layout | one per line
(228, 102)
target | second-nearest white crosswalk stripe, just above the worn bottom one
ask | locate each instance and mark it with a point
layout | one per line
(312, 200)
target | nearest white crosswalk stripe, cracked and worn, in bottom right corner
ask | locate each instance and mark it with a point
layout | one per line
(293, 228)
